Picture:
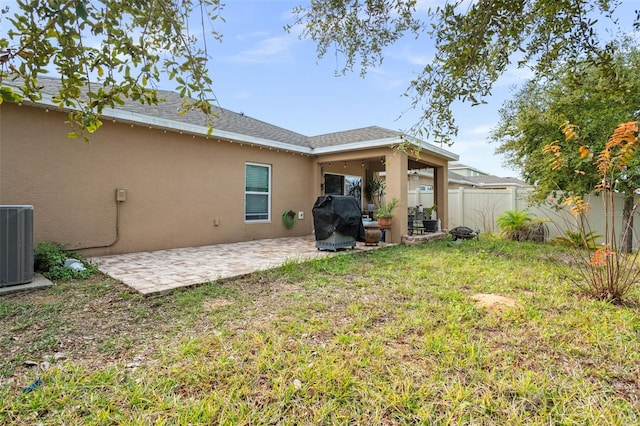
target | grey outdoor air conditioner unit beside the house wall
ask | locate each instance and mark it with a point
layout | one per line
(16, 245)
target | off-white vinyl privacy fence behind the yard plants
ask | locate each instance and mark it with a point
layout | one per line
(480, 208)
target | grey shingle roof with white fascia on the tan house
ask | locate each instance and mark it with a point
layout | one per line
(239, 127)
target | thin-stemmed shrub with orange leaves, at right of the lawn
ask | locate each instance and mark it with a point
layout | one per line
(605, 271)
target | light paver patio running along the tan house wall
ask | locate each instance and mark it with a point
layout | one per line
(164, 270)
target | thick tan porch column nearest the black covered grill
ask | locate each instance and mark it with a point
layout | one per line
(396, 187)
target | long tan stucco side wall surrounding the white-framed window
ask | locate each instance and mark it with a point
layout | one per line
(177, 186)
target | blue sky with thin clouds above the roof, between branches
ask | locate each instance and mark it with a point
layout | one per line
(271, 75)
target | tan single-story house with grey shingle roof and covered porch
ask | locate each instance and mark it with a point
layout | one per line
(151, 178)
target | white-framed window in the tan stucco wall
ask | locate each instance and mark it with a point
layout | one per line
(257, 192)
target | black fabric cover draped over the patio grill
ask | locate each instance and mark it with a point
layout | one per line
(337, 213)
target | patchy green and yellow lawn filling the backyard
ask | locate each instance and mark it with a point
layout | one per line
(385, 337)
